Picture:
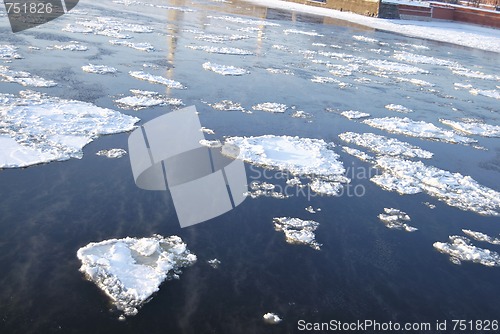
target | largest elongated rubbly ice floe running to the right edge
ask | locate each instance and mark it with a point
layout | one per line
(455, 189)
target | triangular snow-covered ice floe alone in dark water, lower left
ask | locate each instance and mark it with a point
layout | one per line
(131, 270)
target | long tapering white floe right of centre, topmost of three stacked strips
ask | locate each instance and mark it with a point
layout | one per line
(419, 129)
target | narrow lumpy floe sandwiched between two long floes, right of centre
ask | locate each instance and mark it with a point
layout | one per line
(384, 145)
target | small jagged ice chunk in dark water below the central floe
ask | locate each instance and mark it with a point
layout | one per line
(298, 231)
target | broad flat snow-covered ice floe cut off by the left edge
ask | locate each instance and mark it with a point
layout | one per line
(36, 128)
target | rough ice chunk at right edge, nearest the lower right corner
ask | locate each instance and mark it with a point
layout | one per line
(461, 249)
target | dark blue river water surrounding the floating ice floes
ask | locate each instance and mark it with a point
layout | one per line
(363, 271)
